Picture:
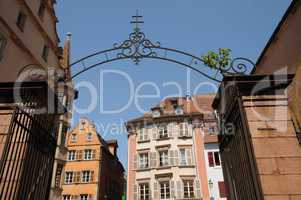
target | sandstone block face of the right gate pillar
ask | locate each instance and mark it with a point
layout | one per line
(276, 147)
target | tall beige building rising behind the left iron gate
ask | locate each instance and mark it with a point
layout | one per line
(30, 52)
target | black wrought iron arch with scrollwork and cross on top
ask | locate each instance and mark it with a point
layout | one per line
(138, 47)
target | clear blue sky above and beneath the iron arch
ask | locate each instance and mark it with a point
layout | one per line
(195, 26)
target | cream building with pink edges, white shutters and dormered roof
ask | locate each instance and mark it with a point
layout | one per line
(166, 151)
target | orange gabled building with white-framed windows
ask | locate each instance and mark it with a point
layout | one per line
(92, 170)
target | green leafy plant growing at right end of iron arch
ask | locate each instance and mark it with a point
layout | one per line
(218, 60)
